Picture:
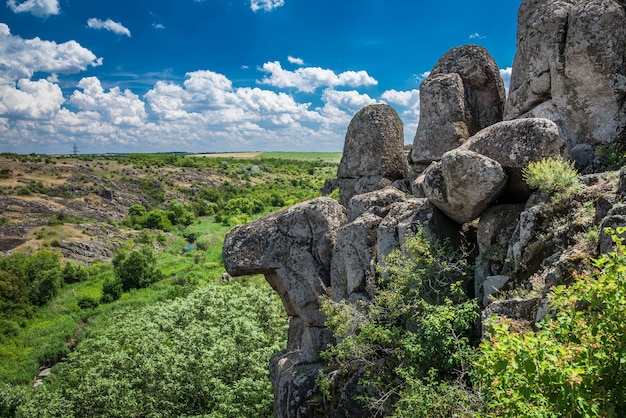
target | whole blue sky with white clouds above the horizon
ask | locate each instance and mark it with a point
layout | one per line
(223, 75)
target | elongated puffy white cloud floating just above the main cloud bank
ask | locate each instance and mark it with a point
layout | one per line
(309, 79)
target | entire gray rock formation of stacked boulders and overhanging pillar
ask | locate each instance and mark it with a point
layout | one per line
(567, 96)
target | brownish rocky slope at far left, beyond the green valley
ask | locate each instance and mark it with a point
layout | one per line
(75, 204)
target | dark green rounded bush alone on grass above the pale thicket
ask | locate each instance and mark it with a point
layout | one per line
(136, 268)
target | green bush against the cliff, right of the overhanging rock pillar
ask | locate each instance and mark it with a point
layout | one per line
(419, 327)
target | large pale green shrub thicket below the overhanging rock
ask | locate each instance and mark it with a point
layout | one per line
(203, 355)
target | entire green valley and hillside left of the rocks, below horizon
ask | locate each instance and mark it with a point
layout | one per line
(91, 212)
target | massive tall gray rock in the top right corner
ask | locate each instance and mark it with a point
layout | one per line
(570, 67)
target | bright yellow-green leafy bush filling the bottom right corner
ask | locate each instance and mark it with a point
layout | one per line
(574, 365)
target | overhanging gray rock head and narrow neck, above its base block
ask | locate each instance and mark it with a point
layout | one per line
(293, 249)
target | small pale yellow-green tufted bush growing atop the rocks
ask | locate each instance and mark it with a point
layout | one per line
(552, 176)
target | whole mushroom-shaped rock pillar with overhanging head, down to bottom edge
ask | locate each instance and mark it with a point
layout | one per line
(293, 249)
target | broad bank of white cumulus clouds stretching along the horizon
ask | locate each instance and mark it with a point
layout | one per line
(204, 112)
